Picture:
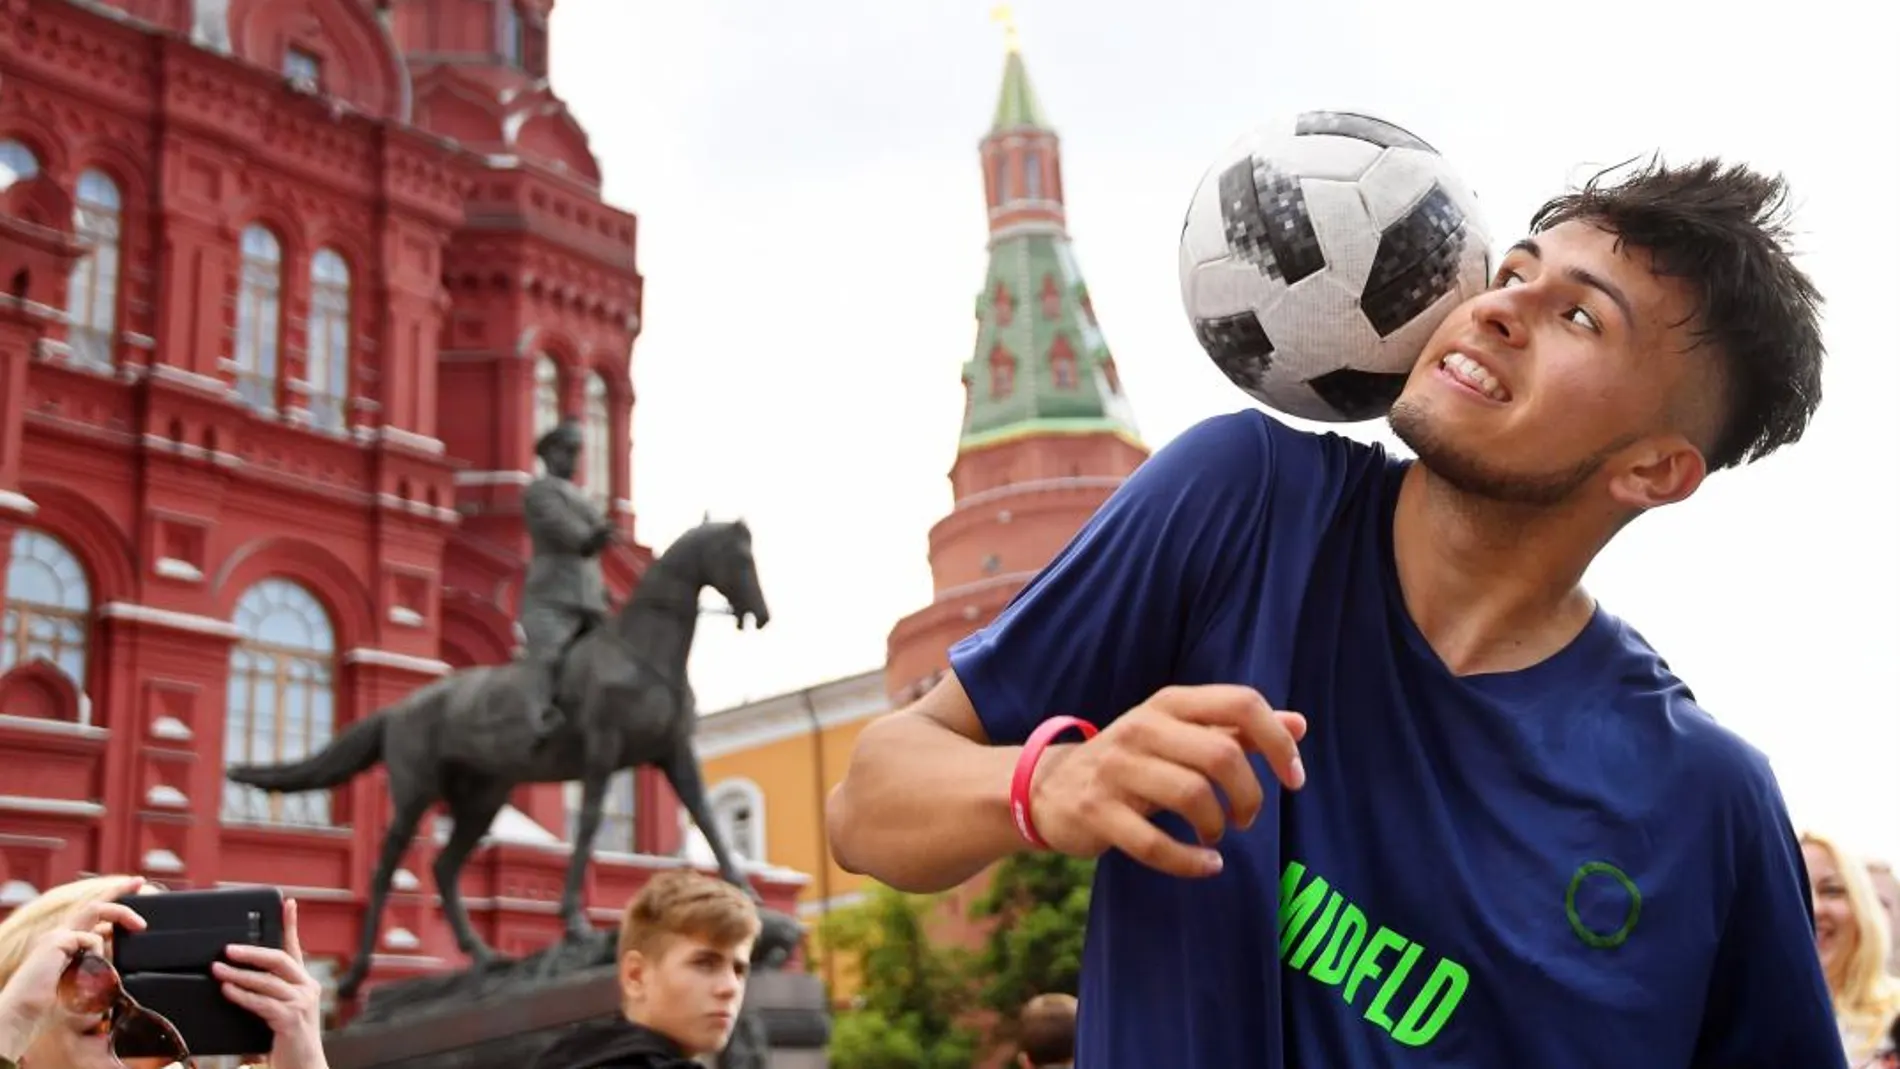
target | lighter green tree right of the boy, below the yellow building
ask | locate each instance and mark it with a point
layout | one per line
(913, 994)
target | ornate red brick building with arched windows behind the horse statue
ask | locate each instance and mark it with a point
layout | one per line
(288, 290)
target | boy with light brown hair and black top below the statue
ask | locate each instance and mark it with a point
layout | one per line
(685, 948)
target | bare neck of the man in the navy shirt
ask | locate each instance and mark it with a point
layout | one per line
(1492, 588)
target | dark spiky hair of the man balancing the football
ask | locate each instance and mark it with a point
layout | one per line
(1722, 229)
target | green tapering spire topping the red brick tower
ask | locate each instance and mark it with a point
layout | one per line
(1042, 364)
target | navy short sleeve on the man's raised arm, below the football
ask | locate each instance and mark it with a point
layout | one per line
(1099, 629)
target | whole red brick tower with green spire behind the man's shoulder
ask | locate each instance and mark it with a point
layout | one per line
(1048, 432)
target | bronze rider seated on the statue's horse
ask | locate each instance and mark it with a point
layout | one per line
(563, 595)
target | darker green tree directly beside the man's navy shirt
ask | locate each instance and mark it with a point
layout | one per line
(1038, 905)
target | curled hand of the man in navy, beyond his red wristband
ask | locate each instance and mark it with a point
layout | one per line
(1168, 753)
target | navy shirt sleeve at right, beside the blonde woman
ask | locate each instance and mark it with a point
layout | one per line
(1768, 1003)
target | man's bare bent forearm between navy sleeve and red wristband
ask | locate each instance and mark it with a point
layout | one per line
(922, 808)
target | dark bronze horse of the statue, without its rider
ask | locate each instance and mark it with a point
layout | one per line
(470, 738)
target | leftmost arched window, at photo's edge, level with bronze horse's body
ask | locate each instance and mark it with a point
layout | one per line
(48, 607)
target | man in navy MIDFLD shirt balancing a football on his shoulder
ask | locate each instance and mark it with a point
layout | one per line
(1504, 835)
